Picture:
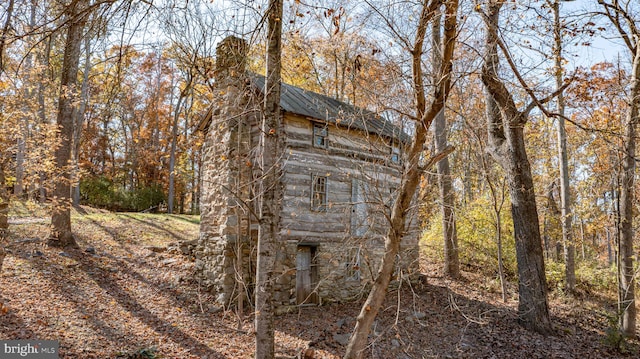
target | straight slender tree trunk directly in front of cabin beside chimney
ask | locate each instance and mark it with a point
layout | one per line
(271, 188)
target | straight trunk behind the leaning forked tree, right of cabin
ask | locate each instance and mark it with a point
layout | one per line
(447, 196)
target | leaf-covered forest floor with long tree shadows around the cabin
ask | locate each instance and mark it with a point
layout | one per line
(129, 291)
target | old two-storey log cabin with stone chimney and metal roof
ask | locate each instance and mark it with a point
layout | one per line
(341, 166)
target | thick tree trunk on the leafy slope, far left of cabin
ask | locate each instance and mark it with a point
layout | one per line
(61, 235)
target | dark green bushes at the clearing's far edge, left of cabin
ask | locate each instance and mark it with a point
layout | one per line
(101, 192)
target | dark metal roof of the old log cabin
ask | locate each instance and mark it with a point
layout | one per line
(326, 109)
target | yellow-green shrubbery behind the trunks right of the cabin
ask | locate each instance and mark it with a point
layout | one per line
(476, 227)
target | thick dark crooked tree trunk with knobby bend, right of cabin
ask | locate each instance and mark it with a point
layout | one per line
(507, 146)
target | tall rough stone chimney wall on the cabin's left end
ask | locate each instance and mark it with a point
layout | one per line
(223, 219)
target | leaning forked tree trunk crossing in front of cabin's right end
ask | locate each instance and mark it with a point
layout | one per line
(412, 171)
